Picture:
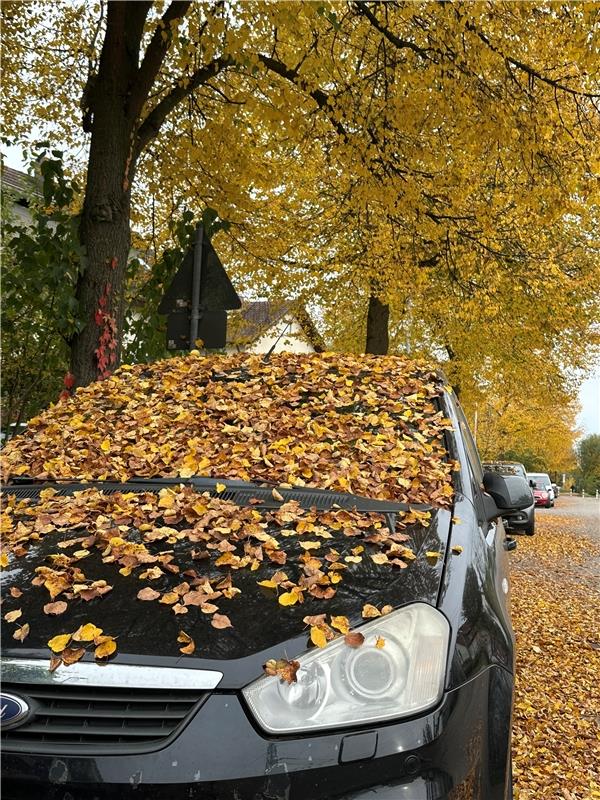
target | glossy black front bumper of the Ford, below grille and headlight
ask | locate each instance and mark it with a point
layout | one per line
(459, 750)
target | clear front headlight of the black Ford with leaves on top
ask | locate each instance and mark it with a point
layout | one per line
(339, 685)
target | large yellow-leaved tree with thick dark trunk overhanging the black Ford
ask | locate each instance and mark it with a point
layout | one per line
(447, 148)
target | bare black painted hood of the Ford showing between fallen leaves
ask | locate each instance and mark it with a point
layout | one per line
(147, 632)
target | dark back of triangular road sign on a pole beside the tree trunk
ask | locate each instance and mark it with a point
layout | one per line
(197, 299)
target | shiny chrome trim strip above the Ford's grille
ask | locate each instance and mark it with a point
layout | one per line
(22, 670)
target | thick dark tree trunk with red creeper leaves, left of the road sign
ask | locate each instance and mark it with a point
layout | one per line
(105, 230)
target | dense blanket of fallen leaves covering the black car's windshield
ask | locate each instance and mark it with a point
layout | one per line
(361, 424)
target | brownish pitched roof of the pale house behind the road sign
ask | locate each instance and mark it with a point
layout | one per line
(256, 317)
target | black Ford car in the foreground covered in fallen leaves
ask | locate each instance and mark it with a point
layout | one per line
(244, 578)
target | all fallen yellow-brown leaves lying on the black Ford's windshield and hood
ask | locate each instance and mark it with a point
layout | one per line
(370, 426)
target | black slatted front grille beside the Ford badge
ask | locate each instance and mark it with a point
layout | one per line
(109, 719)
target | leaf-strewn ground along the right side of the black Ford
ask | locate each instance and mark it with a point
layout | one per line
(556, 616)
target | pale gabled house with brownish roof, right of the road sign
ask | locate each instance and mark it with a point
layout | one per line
(264, 324)
